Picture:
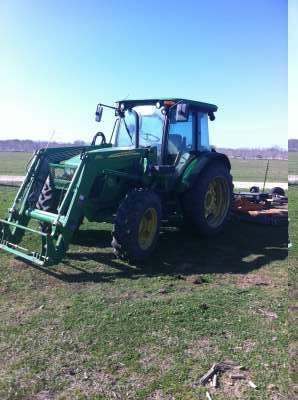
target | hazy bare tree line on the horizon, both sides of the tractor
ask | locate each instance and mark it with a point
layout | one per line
(278, 153)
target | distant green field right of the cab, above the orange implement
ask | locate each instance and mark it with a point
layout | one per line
(254, 170)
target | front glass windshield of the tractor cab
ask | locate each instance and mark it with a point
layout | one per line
(151, 122)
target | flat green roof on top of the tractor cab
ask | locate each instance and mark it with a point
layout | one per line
(200, 106)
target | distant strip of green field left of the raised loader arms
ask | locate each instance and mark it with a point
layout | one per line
(13, 162)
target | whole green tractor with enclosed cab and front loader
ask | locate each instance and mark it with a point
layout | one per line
(157, 164)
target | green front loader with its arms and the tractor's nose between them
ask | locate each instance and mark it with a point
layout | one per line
(83, 181)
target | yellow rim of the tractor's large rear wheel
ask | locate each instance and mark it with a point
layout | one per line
(217, 202)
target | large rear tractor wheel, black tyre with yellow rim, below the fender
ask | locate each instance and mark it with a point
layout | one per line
(208, 204)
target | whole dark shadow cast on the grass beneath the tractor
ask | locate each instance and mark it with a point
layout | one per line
(241, 248)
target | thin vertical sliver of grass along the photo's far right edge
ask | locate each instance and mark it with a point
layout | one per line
(293, 287)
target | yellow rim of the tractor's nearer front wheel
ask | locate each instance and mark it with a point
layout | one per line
(147, 228)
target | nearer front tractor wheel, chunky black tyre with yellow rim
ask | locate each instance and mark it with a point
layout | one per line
(137, 225)
